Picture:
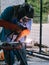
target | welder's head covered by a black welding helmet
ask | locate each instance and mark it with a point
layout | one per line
(25, 10)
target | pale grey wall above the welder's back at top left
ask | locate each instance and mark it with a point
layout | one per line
(6, 3)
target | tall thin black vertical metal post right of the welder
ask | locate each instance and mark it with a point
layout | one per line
(40, 25)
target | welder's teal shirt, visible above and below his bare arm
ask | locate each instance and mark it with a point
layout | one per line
(7, 14)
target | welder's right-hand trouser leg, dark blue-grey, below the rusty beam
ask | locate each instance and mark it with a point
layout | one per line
(21, 55)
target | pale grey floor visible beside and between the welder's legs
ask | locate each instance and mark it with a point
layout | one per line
(32, 61)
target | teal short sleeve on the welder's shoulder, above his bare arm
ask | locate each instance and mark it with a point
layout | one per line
(7, 14)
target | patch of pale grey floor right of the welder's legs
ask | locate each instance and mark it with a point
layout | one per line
(37, 61)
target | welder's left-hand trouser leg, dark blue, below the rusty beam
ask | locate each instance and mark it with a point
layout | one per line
(9, 57)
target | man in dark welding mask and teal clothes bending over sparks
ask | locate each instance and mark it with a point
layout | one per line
(20, 15)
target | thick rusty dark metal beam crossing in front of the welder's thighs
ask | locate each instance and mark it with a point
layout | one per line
(7, 46)
